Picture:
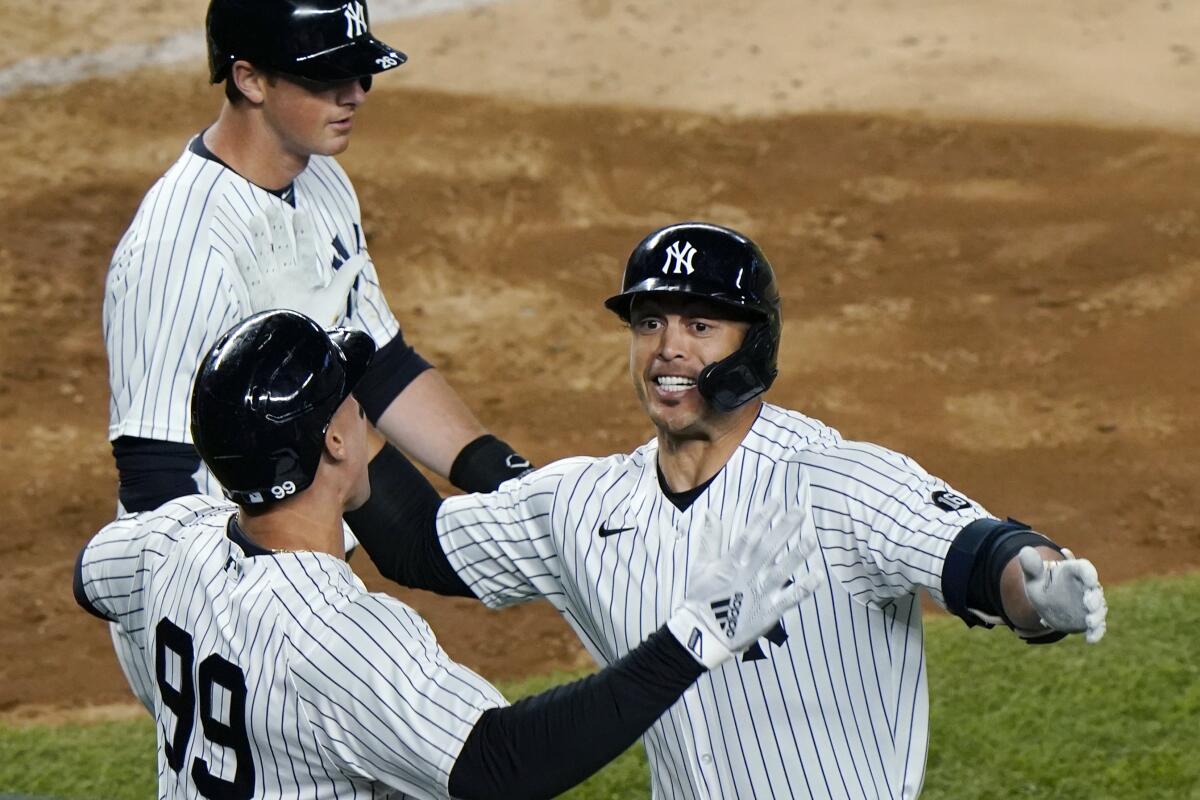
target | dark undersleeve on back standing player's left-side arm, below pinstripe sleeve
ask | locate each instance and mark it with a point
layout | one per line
(154, 472)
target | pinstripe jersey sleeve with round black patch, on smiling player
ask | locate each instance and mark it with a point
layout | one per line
(885, 525)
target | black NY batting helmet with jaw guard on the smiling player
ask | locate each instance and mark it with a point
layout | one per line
(724, 267)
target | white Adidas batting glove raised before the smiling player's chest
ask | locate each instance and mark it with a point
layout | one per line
(736, 593)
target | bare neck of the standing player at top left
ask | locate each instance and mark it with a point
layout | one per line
(241, 140)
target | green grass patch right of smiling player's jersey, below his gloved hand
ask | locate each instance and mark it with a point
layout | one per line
(1117, 720)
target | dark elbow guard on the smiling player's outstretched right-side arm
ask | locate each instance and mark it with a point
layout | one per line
(974, 566)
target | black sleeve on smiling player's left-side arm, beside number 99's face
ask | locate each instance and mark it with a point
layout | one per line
(398, 527)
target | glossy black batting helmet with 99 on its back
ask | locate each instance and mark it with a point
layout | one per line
(265, 398)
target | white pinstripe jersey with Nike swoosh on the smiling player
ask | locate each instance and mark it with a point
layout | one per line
(832, 706)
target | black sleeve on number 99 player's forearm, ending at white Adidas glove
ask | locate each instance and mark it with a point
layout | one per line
(545, 744)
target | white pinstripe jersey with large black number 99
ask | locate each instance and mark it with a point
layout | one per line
(279, 669)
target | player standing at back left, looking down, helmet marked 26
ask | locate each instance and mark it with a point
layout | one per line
(296, 75)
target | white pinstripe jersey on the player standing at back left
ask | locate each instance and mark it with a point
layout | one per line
(171, 287)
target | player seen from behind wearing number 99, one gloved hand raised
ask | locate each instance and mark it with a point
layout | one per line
(278, 675)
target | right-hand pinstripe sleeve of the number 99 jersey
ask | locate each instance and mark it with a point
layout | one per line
(385, 701)
